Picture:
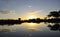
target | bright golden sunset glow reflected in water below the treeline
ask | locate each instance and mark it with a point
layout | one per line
(33, 26)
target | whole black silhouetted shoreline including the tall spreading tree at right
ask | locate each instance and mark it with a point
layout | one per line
(55, 14)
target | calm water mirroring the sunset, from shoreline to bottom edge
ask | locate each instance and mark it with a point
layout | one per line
(28, 30)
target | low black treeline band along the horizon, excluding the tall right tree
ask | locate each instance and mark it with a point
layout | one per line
(37, 20)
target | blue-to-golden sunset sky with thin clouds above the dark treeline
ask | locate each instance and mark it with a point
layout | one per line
(13, 9)
